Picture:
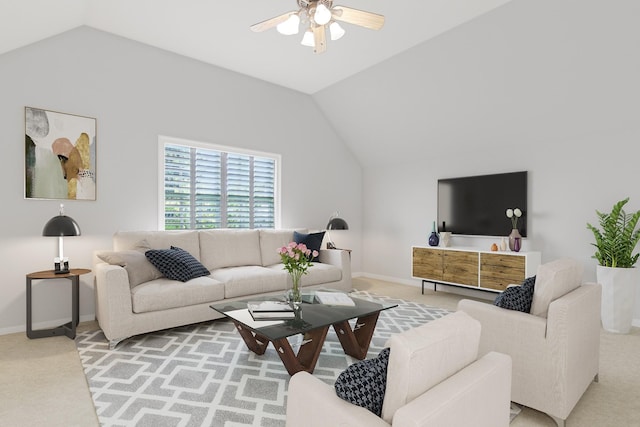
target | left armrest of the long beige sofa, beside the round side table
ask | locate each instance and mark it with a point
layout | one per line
(113, 300)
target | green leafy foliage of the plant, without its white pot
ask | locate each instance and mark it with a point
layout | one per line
(617, 238)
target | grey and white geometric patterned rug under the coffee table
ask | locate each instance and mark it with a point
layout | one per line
(204, 375)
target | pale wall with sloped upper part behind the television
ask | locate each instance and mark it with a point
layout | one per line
(549, 86)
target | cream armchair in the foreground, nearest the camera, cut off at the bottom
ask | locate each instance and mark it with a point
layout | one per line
(434, 378)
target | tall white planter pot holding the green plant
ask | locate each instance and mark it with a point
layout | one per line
(618, 297)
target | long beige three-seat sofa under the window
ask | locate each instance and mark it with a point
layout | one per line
(132, 298)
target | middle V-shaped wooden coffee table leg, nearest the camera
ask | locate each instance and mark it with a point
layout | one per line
(308, 353)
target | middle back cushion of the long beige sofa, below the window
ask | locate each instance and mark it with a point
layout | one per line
(230, 248)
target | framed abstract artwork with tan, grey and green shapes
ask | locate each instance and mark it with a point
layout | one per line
(60, 155)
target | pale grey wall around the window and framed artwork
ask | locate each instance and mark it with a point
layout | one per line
(137, 93)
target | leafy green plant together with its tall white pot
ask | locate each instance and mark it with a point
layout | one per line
(615, 242)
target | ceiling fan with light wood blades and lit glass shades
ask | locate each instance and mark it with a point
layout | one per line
(317, 16)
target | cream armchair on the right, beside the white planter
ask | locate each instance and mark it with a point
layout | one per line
(555, 348)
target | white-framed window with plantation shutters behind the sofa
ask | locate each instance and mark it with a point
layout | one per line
(210, 186)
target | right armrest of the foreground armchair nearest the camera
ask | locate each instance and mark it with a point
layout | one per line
(478, 395)
